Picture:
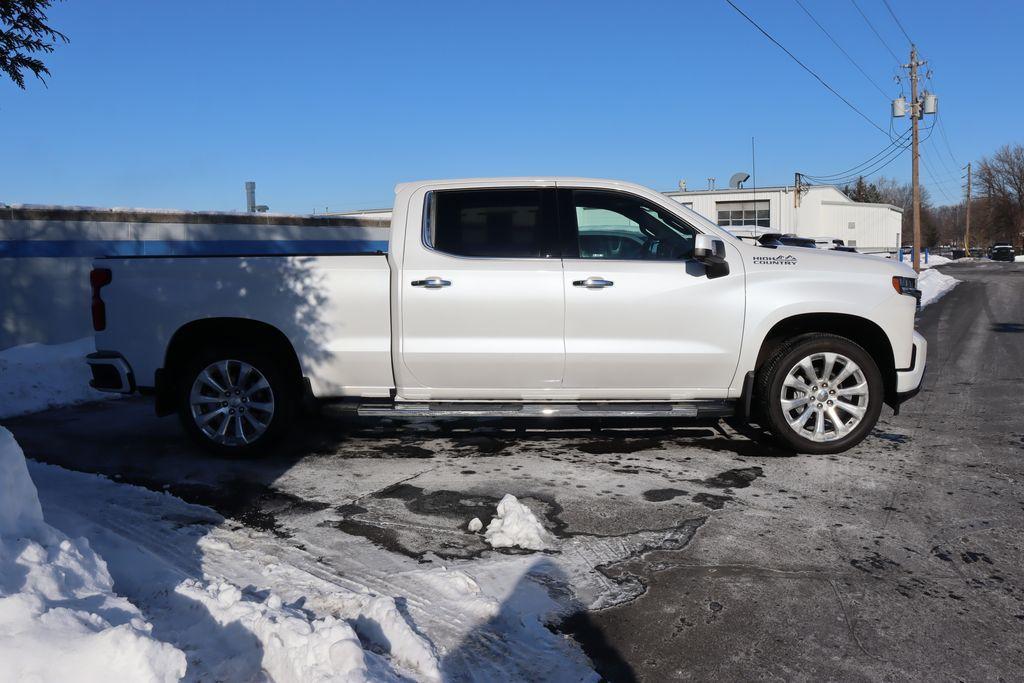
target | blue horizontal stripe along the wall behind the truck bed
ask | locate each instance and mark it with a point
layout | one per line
(97, 248)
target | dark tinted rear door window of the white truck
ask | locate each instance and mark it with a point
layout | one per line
(495, 224)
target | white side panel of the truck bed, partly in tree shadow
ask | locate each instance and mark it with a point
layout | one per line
(335, 311)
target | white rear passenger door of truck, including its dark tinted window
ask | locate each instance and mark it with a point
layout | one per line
(483, 305)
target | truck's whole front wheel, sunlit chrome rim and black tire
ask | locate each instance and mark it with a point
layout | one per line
(821, 394)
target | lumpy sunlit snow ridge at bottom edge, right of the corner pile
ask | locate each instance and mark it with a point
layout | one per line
(291, 647)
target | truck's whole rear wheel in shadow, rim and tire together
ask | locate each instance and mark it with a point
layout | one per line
(236, 402)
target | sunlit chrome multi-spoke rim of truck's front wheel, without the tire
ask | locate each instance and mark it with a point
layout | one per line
(825, 397)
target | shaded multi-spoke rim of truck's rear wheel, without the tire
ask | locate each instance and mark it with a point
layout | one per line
(232, 403)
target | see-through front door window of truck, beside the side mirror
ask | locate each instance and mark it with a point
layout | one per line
(615, 226)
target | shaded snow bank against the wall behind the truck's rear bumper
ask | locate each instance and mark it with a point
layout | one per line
(35, 377)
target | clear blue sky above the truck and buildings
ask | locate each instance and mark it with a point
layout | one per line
(330, 104)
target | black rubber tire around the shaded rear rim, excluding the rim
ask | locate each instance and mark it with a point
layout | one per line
(282, 390)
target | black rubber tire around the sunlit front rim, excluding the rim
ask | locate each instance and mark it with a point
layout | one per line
(770, 387)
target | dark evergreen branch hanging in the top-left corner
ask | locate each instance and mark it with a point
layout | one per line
(24, 34)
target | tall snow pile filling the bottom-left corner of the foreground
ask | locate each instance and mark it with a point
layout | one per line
(60, 618)
